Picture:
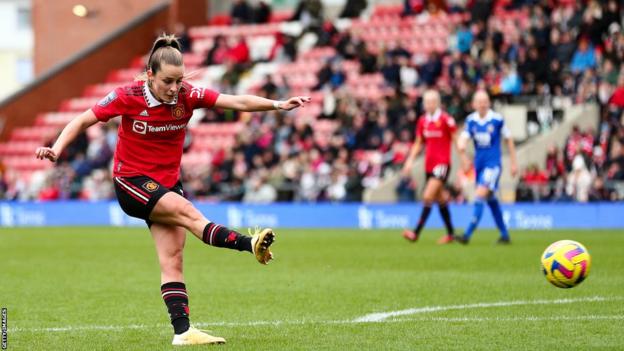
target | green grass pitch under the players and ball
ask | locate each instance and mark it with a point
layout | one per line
(97, 288)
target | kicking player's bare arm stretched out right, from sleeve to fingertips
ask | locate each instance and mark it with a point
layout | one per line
(251, 103)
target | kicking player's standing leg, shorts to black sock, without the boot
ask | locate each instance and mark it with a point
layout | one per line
(169, 242)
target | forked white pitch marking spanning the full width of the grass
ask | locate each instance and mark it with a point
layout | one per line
(365, 319)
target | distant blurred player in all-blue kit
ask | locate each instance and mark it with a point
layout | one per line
(486, 128)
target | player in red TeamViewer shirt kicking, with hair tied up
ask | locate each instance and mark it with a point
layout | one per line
(154, 112)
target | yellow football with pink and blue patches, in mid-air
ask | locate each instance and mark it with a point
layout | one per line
(566, 263)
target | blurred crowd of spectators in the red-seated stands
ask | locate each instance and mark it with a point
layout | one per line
(568, 53)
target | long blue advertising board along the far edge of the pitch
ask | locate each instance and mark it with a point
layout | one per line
(363, 216)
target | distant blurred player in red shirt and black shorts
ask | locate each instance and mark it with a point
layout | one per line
(435, 131)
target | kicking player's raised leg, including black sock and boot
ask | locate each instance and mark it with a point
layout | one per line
(174, 209)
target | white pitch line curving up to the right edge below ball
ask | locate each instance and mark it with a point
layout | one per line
(381, 316)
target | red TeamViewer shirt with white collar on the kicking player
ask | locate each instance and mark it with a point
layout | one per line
(151, 133)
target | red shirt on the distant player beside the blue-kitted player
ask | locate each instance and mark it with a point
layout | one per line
(436, 132)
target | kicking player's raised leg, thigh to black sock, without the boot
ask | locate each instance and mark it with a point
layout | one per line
(174, 209)
